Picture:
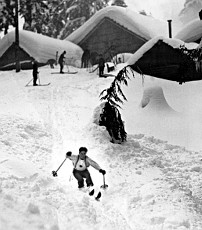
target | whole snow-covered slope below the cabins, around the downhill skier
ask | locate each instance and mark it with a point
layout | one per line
(154, 178)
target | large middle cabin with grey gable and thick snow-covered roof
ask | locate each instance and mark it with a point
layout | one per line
(115, 30)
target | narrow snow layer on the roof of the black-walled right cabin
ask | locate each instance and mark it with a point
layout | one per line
(175, 43)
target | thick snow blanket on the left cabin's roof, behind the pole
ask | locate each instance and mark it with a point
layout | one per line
(41, 47)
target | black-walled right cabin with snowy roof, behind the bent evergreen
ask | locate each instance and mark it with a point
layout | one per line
(162, 58)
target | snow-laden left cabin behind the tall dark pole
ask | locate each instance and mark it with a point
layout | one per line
(36, 46)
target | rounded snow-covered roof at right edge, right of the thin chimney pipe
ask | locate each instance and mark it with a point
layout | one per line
(191, 31)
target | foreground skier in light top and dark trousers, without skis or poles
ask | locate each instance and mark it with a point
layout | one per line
(81, 163)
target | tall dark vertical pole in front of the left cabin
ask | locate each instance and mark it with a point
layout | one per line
(17, 62)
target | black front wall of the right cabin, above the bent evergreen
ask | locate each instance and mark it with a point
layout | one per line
(163, 61)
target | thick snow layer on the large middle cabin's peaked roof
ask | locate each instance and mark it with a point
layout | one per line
(144, 26)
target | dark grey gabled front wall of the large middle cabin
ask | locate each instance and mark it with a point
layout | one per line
(110, 38)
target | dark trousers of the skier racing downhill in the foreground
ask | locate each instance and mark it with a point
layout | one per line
(80, 175)
